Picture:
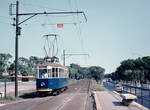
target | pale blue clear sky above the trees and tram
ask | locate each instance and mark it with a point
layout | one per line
(115, 30)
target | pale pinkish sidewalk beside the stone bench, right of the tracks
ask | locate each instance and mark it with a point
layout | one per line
(106, 100)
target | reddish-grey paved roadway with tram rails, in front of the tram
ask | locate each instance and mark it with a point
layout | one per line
(74, 98)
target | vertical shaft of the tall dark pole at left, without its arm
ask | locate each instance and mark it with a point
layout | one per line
(16, 51)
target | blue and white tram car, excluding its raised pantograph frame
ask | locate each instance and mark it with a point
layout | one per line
(51, 76)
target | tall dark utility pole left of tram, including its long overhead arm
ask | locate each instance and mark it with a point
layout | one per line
(18, 29)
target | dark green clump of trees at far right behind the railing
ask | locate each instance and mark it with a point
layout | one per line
(134, 70)
